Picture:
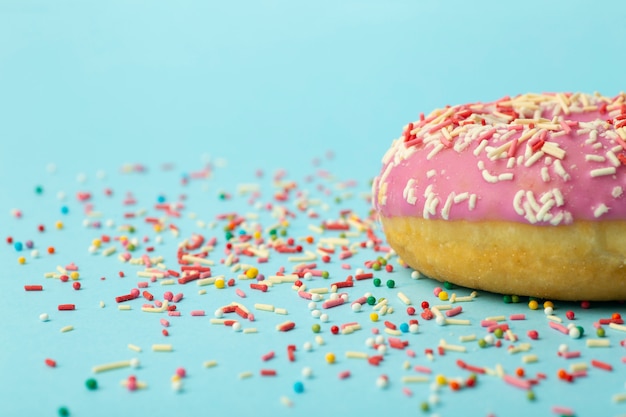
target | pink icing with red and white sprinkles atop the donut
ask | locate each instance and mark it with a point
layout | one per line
(503, 178)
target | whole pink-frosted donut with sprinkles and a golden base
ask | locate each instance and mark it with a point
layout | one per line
(521, 196)
